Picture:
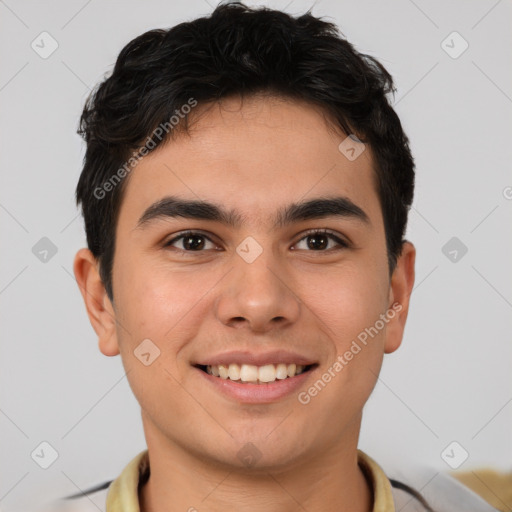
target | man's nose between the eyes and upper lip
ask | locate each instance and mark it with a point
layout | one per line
(258, 296)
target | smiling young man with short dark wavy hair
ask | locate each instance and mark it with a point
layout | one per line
(245, 192)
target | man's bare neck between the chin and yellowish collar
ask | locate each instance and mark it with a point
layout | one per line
(180, 481)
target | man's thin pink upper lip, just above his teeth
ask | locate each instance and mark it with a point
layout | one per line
(255, 358)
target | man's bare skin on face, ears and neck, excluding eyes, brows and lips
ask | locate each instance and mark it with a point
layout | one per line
(255, 158)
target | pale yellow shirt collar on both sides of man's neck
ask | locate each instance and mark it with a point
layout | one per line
(123, 492)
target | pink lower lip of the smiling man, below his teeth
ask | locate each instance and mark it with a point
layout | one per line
(257, 393)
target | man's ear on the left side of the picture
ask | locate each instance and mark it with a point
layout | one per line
(99, 307)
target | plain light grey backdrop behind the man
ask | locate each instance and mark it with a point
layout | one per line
(451, 378)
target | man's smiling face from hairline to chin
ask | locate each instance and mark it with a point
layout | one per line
(247, 284)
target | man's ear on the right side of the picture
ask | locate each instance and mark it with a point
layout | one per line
(402, 282)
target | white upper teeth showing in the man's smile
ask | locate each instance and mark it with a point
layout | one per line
(251, 373)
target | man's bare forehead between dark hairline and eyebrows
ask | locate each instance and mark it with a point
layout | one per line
(253, 156)
